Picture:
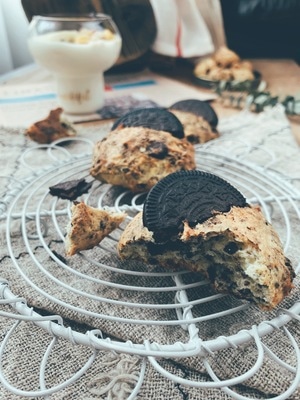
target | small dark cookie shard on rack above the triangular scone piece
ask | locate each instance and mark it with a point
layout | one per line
(70, 190)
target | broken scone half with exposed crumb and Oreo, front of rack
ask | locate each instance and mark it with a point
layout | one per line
(197, 221)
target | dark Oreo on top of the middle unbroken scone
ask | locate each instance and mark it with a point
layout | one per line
(155, 118)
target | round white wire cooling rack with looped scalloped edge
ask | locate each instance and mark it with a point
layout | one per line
(96, 288)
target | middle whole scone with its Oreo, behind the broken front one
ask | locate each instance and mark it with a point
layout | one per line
(143, 147)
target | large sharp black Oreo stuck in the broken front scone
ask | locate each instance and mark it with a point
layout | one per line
(192, 196)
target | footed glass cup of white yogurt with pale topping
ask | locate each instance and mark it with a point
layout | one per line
(76, 50)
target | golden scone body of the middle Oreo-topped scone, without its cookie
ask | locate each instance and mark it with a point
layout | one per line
(137, 158)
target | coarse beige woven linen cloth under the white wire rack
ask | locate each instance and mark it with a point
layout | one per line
(264, 141)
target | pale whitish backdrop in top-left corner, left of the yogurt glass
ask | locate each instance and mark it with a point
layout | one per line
(14, 52)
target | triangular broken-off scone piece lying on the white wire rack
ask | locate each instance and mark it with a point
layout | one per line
(89, 226)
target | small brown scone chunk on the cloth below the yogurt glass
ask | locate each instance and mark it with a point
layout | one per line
(55, 126)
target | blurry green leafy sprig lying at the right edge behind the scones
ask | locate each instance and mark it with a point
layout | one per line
(244, 95)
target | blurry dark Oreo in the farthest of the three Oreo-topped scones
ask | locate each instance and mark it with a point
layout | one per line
(198, 107)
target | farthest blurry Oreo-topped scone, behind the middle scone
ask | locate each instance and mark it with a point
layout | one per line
(198, 118)
